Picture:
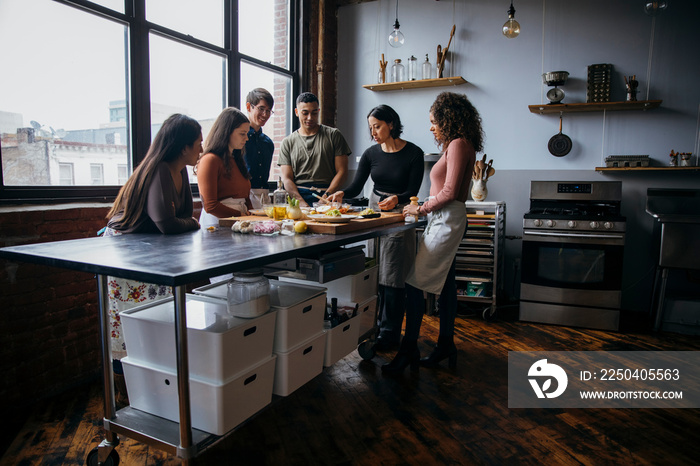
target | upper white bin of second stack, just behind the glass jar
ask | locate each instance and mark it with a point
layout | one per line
(300, 309)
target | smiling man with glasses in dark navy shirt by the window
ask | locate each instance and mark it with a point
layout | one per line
(259, 148)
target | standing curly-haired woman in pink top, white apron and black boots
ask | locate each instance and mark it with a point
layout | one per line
(456, 126)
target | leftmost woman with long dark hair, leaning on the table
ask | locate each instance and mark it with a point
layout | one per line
(155, 199)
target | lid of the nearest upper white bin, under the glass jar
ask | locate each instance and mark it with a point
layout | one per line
(202, 315)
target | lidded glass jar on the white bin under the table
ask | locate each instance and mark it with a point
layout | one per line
(248, 294)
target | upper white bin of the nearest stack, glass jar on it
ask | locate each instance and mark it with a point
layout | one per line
(219, 345)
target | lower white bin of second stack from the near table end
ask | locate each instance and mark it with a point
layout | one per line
(299, 365)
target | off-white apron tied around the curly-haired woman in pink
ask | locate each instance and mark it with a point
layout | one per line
(437, 247)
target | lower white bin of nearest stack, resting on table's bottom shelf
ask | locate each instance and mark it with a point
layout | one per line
(216, 408)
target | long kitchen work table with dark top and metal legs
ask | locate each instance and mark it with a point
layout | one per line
(173, 260)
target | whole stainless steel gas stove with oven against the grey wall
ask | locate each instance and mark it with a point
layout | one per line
(573, 243)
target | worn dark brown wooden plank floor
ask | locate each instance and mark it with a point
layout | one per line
(352, 415)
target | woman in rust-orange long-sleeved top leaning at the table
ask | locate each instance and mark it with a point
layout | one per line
(222, 175)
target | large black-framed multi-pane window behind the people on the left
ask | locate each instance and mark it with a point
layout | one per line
(88, 84)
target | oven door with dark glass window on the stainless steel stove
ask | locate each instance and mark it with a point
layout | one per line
(576, 268)
